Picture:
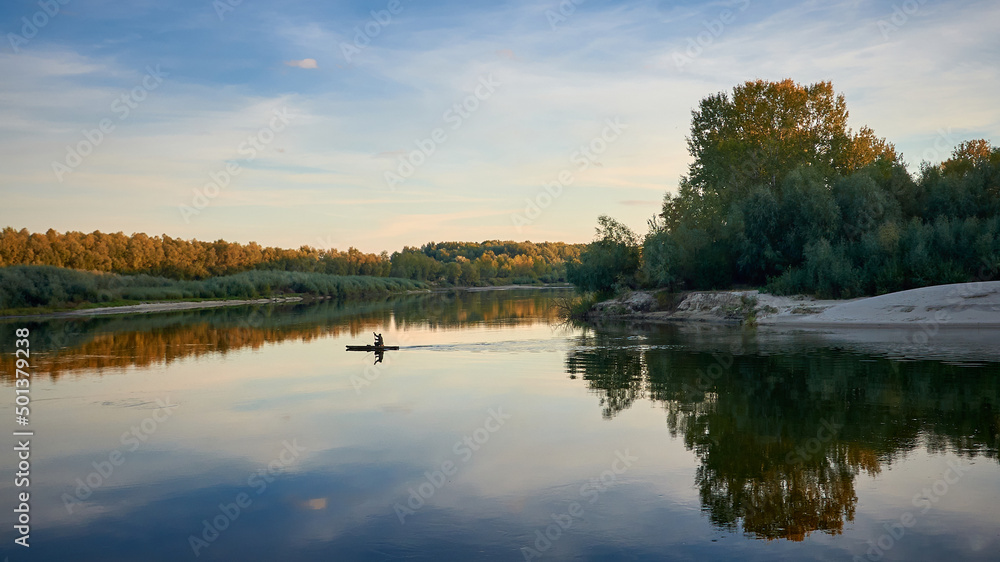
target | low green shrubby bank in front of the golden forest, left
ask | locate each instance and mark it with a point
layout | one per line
(37, 287)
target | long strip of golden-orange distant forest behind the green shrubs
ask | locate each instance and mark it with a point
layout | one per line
(455, 263)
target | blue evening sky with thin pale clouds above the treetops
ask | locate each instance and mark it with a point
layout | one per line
(386, 123)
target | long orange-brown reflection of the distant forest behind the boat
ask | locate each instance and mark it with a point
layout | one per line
(100, 343)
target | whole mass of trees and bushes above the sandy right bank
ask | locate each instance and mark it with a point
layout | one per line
(783, 195)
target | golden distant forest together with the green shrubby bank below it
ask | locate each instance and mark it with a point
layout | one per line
(74, 269)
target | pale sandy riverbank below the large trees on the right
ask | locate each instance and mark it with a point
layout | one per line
(964, 305)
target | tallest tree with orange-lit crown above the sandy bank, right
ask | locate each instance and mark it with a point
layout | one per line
(759, 189)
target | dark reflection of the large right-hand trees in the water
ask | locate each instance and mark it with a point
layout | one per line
(781, 438)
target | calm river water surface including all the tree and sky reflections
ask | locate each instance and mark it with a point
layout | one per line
(498, 433)
